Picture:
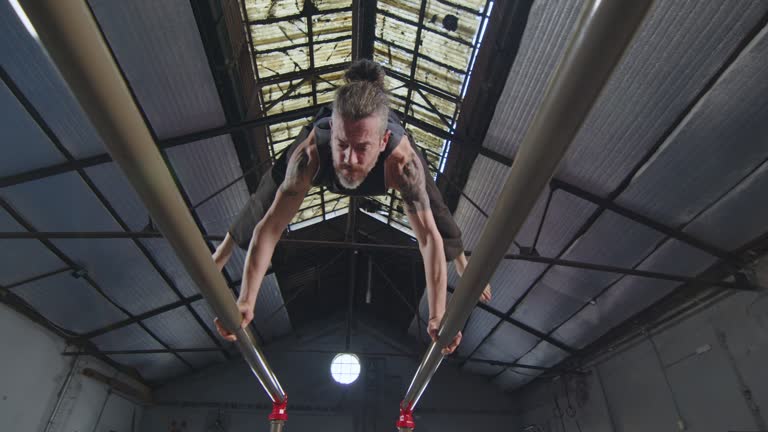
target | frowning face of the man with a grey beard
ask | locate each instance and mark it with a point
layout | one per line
(355, 146)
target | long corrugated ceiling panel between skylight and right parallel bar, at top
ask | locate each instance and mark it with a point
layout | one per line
(543, 43)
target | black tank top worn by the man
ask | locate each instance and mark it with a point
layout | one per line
(374, 183)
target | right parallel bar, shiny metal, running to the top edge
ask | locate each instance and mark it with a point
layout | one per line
(602, 34)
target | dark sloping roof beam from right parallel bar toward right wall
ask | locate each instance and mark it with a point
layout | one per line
(643, 220)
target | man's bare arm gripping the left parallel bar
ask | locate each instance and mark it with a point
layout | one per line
(290, 195)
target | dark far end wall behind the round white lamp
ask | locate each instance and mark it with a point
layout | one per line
(453, 402)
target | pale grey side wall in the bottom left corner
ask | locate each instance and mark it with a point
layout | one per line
(32, 373)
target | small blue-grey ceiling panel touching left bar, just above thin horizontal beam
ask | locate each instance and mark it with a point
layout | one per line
(114, 185)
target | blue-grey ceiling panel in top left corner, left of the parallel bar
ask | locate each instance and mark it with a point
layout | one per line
(31, 70)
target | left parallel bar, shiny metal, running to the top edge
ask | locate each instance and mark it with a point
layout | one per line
(72, 39)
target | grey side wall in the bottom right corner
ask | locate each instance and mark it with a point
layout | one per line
(723, 387)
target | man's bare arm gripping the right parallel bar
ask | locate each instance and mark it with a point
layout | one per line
(411, 183)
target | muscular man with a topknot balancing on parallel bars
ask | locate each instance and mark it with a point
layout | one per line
(357, 148)
